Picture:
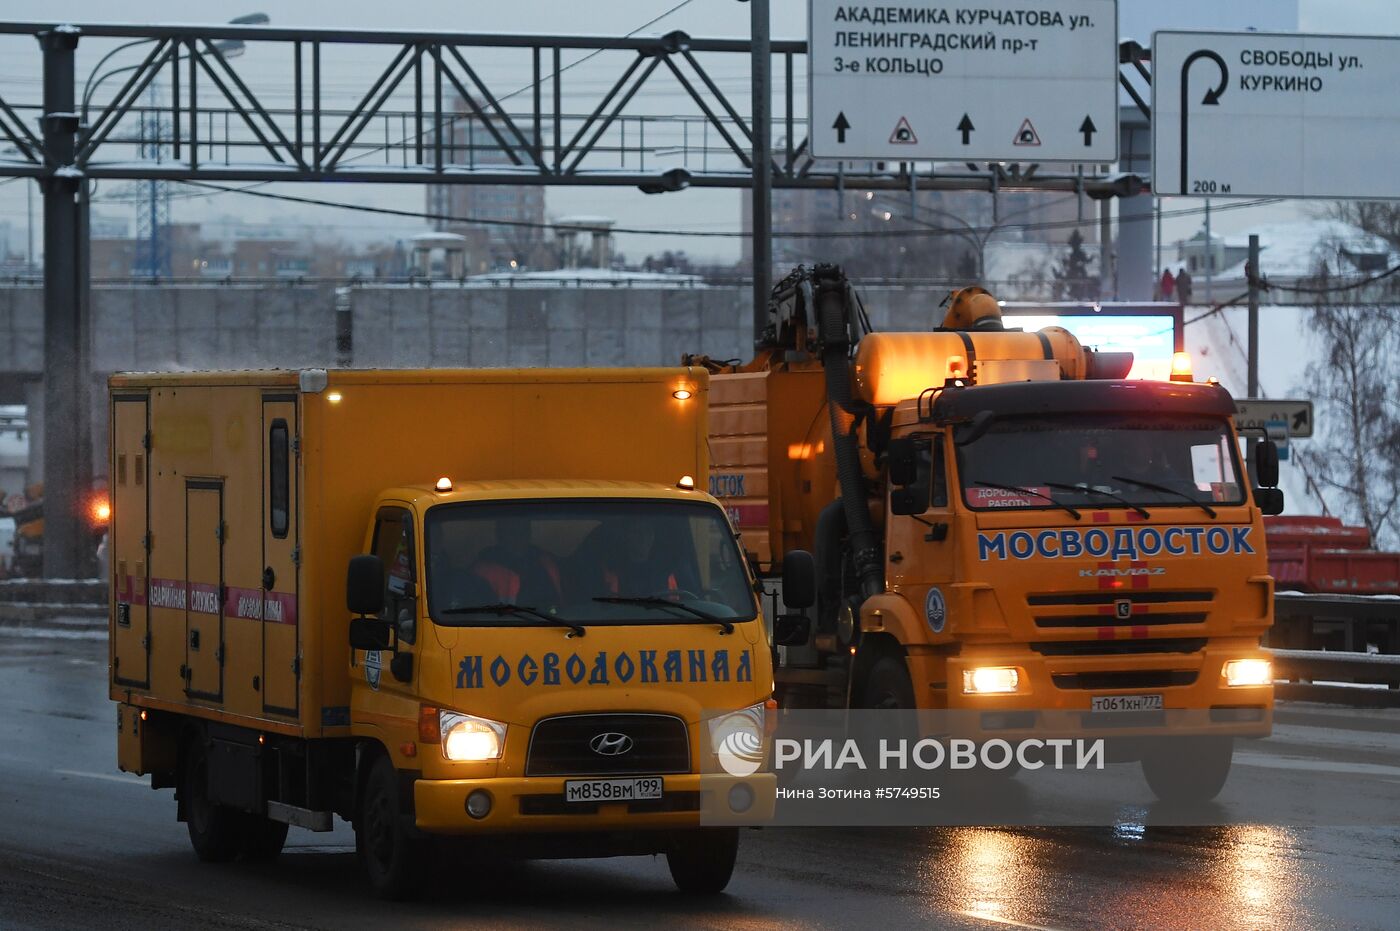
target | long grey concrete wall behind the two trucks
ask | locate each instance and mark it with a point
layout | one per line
(202, 327)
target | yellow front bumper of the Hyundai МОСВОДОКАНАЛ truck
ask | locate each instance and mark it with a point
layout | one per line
(538, 804)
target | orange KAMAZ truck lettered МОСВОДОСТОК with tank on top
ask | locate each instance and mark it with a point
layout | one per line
(1002, 526)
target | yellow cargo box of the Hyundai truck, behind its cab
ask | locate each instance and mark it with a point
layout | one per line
(240, 498)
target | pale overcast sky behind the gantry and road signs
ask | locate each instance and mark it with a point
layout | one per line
(692, 209)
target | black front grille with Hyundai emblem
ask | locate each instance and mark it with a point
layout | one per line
(563, 745)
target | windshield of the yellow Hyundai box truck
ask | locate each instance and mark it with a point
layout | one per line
(587, 562)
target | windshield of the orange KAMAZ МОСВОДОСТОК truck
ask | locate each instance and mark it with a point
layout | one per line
(1101, 461)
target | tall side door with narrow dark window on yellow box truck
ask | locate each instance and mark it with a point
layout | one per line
(282, 670)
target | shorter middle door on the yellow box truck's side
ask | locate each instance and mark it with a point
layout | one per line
(205, 589)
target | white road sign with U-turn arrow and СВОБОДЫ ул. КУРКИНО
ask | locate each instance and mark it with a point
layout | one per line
(1255, 114)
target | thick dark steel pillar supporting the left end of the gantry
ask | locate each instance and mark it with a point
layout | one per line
(66, 384)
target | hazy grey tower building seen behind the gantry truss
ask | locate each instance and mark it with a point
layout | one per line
(488, 246)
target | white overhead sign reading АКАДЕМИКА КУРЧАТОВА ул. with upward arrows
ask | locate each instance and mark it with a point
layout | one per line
(981, 80)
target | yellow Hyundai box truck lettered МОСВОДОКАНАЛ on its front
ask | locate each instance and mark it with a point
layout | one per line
(485, 605)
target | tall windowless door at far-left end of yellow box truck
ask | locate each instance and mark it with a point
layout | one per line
(127, 542)
